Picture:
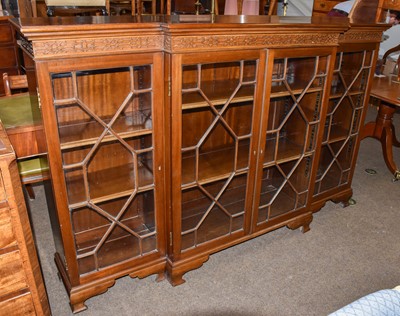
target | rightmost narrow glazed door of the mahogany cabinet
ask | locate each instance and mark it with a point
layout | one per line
(347, 103)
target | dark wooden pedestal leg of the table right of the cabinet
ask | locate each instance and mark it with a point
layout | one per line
(383, 130)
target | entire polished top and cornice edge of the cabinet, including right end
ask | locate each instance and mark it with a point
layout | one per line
(50, 27)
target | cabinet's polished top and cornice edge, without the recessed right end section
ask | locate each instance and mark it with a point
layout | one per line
(178, 22)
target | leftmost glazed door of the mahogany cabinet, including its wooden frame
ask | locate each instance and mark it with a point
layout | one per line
(106, 158)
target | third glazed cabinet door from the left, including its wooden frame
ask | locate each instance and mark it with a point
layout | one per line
(292, 117)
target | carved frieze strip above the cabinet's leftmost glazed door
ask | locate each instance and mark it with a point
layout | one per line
(96, 46)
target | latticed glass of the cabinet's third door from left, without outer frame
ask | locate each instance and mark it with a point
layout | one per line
(291, 134)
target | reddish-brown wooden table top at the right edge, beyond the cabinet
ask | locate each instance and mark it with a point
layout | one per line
(386, 89)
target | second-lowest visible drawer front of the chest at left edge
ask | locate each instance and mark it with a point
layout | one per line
(12, 274)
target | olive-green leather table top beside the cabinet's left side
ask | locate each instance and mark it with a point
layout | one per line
(16, 111)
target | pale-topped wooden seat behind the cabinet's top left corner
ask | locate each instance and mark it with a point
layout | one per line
(77, 7)
